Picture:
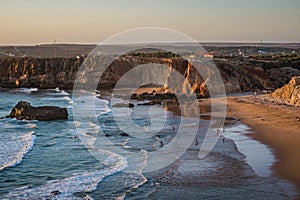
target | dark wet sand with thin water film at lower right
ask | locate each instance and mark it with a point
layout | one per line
(222, 174)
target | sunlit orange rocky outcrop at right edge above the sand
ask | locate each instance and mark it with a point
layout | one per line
(290, 91)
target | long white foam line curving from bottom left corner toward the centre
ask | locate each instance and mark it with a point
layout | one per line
(79, 182)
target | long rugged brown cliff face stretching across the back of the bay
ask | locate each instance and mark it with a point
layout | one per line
(61, 72)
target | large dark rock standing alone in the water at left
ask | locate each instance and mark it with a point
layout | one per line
(23, 110)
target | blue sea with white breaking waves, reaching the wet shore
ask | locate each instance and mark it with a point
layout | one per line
(83, 157)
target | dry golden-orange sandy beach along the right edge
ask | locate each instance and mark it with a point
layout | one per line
(277, 126)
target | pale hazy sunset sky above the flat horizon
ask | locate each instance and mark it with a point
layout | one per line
(92, 21)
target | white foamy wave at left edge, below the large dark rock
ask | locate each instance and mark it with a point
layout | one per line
(14, 147)
